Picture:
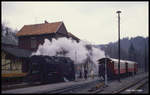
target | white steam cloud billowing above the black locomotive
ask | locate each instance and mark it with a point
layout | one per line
(79, 52)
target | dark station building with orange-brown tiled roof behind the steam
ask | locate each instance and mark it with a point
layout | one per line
(30, 36)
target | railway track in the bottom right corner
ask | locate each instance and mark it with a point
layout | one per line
(133, 87)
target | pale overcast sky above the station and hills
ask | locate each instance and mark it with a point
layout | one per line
(96, 22)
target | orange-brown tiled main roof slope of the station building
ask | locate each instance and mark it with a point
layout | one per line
(38, 29)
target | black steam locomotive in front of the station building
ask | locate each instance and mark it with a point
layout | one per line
(47, 69)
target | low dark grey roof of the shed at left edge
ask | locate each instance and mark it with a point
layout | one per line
(17, 51)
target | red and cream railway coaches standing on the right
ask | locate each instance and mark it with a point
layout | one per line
(126, 67)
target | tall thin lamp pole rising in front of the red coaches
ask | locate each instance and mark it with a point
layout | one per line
(118, 44)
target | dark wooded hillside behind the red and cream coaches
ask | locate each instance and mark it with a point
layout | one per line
(134, 49)
